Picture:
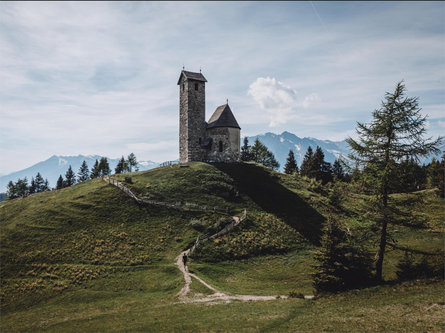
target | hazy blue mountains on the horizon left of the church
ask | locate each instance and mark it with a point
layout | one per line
(58, 165)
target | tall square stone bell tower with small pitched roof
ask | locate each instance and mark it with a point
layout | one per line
(192, 125)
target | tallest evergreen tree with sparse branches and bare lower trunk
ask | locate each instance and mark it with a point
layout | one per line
(396, 131)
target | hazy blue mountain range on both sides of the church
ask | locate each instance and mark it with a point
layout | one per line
(279, 144)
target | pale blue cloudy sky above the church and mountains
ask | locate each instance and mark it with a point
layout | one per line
(100, 77)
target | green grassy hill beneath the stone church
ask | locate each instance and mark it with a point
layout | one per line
(89, 258)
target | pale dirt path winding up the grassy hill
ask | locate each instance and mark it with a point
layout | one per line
(217, 296)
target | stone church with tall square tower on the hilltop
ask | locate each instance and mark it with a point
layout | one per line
(217, 140)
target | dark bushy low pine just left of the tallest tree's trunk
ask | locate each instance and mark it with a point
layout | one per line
(340, 263)
